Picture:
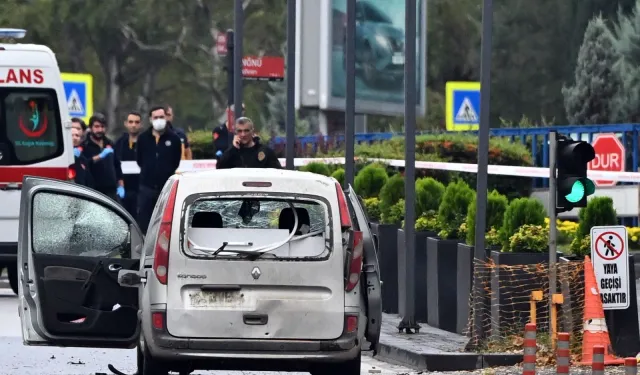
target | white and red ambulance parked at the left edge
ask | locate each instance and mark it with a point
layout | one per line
(35, 132)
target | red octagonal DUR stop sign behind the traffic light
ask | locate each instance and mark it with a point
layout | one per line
(610, 156)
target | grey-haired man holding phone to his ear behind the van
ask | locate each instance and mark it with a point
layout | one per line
(246, 150)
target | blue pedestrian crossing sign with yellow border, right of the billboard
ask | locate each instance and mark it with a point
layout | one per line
(462, 106)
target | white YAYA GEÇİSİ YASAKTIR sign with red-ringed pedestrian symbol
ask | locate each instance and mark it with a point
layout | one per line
(610, 257)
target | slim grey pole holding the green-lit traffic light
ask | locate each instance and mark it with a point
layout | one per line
(553, 164)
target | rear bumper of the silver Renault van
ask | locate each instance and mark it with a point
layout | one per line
(171, 348)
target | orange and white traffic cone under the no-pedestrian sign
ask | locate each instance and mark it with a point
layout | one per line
(595, 326)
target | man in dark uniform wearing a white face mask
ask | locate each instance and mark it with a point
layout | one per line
(158, 156)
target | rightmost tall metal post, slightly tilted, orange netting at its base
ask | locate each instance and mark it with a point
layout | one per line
(483, 161)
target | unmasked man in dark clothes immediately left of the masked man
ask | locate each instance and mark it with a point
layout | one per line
(126, 150)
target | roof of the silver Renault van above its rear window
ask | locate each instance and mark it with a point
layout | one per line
(256, 174)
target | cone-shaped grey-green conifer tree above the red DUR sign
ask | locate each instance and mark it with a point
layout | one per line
(590, 99)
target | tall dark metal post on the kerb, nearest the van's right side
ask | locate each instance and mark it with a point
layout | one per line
(408, 321)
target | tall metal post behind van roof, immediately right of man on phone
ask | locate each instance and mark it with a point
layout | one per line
(291, 83)
